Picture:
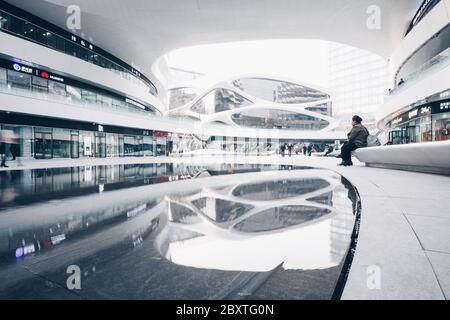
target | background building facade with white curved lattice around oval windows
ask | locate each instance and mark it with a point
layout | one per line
(256, 102)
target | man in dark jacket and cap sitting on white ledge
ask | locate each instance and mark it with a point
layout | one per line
(357, 138)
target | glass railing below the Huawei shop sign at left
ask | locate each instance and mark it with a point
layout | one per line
(120, 109)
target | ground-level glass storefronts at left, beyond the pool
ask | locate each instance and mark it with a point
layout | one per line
(46, 138)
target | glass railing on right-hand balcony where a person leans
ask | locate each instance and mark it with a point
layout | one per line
(440, 61)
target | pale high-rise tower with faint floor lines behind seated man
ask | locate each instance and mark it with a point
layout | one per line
(359, 81)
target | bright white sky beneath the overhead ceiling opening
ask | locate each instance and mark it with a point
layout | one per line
(303, 60)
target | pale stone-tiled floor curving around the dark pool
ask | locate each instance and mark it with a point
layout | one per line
(403, 249)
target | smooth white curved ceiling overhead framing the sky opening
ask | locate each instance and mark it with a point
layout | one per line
(140, 31)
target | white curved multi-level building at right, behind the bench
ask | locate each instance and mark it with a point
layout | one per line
(417, 107)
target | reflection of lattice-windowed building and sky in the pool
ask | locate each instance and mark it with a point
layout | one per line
(217, 228)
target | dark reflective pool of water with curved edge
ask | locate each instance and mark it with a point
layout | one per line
(175, 232)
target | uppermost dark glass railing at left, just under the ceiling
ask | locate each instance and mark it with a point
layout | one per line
(26, 30)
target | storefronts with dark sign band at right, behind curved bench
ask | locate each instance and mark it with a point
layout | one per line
(424, 123)
